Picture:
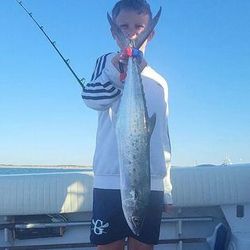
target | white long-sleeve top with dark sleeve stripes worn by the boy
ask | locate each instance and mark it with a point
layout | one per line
(103, 93)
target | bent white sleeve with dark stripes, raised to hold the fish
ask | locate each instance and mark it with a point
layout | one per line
(104, 87)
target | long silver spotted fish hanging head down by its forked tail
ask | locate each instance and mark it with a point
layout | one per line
(133, 132)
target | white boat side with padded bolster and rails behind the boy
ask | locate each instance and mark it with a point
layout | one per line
(51, 208)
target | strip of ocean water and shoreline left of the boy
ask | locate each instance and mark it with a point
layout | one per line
(16, 169)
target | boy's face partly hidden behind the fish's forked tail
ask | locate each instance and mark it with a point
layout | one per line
(132, 24)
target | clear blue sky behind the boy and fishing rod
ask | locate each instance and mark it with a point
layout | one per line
(200, 47)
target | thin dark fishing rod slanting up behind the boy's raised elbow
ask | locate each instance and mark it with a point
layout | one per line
(53, 43)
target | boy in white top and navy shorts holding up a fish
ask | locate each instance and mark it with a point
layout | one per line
(109, 227)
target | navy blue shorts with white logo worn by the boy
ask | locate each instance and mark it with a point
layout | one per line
(109, 224)
